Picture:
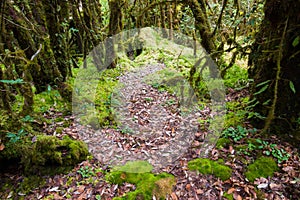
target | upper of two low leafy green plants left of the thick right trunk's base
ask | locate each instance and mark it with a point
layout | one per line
(237, 133)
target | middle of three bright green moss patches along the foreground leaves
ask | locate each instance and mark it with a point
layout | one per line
(207, 166)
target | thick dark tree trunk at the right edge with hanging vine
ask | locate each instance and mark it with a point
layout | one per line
(275, 61)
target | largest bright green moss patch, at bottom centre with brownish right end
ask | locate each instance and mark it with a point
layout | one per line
(147, 184)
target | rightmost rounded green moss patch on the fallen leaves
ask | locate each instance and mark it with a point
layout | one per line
(262, 167)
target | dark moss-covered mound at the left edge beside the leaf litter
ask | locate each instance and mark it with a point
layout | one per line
(46, 154)
